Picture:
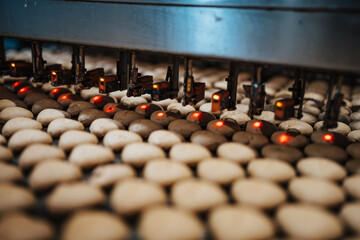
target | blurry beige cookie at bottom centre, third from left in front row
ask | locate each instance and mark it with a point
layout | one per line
(162, 222)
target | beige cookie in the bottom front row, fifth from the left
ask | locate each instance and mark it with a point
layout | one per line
(302, 221)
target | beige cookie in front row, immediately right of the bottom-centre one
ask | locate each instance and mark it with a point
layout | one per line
(239, 222)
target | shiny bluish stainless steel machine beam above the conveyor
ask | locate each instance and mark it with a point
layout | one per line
(316, 34)
